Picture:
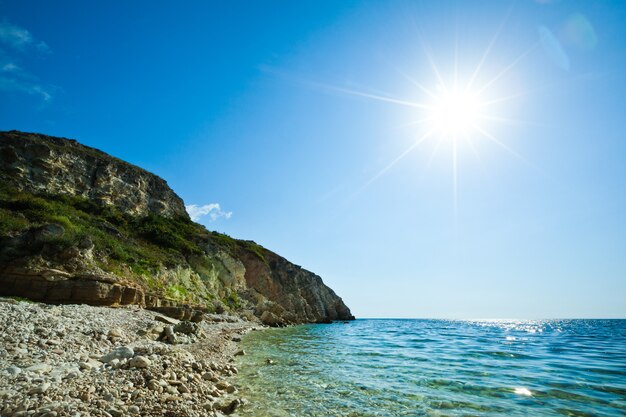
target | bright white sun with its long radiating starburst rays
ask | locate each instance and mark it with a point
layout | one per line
(457, 112)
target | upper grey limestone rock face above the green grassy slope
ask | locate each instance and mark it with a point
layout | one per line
(46, 164)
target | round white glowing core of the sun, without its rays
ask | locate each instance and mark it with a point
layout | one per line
(455, 112)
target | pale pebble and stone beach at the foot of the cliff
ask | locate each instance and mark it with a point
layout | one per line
(80, 360)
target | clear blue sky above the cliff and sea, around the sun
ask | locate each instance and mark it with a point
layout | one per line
(300, 119)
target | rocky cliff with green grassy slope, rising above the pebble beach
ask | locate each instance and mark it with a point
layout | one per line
(80, 226)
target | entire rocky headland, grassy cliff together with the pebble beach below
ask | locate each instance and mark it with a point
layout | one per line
(114, 303)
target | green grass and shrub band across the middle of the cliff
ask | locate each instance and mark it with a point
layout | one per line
(142, 244)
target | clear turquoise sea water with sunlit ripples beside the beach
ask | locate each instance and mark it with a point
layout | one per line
(437, 368)
